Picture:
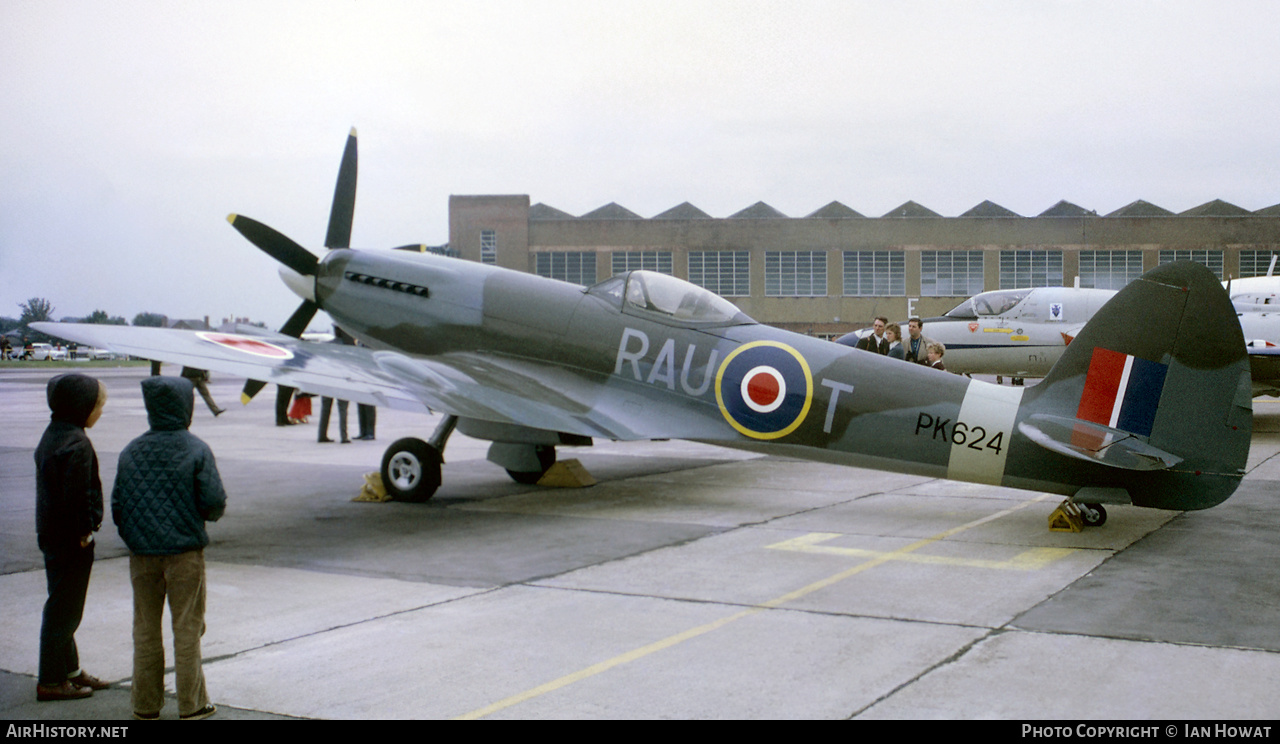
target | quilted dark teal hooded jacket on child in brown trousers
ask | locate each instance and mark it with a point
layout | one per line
(167, 485)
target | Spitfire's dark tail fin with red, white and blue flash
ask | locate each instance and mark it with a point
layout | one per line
(1155, 391)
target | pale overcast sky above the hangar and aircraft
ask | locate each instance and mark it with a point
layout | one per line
(131, 130)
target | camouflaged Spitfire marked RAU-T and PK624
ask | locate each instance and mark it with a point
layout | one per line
(1150, 405)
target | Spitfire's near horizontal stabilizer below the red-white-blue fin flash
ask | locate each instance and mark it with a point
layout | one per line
(1095, 444)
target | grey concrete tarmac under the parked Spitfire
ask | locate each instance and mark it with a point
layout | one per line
(691, 583)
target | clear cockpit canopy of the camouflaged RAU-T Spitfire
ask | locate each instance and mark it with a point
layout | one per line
(668, 299)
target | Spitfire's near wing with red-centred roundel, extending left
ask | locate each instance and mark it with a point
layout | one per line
(469, 385)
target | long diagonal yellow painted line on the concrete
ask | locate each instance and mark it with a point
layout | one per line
(717, 624)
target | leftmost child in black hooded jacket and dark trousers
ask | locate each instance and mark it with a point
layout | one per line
(68, 513)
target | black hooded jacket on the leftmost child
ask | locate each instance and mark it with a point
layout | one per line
(68, 490)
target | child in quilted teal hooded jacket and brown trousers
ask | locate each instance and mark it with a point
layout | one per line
(167, 487)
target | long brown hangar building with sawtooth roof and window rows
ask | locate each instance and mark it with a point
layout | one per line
(834, 271)
